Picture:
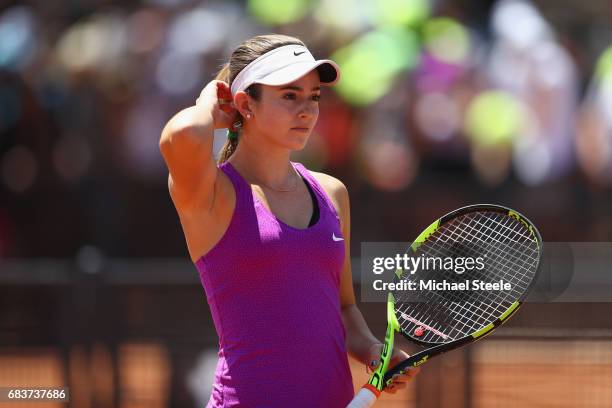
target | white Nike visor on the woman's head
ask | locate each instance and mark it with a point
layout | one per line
(284, 65)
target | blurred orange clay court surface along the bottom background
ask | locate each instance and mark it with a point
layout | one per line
(505, 374)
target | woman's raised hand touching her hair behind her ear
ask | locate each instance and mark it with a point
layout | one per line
(217, 97)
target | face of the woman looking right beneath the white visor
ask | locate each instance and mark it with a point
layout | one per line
(285, 115)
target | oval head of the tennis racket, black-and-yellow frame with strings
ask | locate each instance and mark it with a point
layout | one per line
(513, 248)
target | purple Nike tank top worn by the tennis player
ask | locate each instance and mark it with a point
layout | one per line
(273, 291)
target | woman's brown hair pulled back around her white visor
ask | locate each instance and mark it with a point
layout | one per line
(242, 56)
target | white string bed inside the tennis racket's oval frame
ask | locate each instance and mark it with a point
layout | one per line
(511, 253)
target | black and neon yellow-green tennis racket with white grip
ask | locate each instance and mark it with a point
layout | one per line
(510, 248)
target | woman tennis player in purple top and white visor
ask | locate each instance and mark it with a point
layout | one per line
(269, 238)
